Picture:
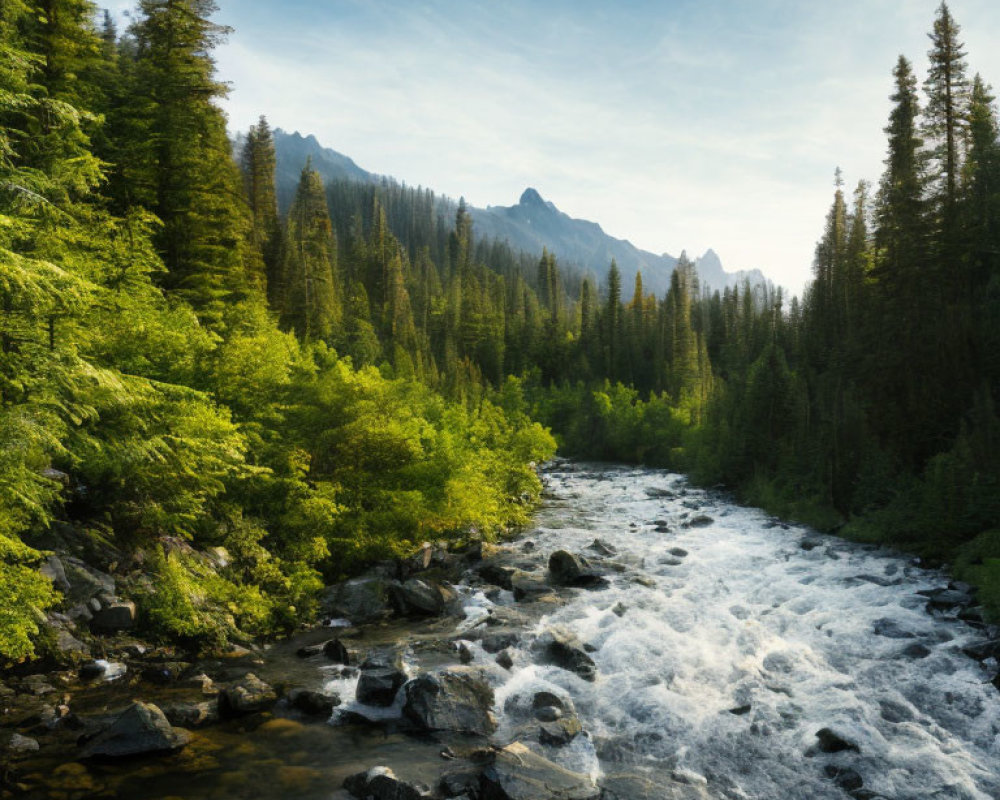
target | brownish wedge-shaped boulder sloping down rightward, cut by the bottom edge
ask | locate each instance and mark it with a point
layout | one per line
(519, 774)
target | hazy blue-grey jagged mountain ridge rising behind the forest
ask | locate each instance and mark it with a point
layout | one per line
(532, 225)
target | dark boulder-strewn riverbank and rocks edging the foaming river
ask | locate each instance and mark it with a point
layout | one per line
(414, 668)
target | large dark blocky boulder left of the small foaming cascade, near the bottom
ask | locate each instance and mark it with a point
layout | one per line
(455, 699)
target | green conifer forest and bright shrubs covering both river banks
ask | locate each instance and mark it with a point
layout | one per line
(185, 369)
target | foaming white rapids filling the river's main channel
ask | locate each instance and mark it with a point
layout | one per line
(741, 638)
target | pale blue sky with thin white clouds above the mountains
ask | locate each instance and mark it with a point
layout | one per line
(674, 124)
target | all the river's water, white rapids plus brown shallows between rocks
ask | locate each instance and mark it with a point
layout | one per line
(723, 644)
